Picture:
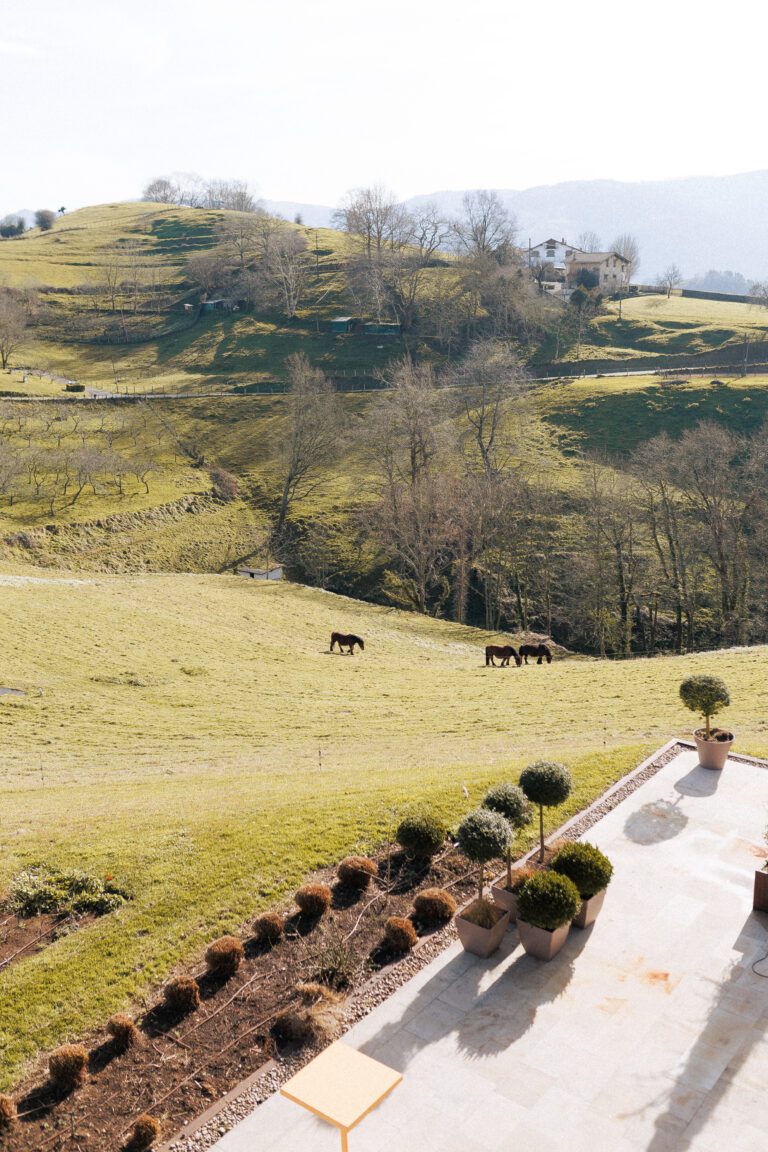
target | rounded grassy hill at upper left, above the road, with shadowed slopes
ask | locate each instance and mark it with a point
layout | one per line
(69, 268)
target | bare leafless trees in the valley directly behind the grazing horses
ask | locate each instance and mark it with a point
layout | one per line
(468, 512)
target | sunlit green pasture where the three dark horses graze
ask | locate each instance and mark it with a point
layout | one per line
(193, 738)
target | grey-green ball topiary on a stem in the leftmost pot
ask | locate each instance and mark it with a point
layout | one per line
(483, 837)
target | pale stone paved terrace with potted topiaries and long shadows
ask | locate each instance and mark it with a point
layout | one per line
(647, 1033)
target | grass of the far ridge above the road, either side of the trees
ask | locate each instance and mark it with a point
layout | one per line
(178, 352)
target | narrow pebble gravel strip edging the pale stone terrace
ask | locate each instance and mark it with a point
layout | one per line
(218, 1120)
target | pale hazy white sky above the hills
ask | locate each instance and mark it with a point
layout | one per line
(309, 98)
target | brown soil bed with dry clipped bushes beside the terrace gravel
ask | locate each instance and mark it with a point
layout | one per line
(183, 1064)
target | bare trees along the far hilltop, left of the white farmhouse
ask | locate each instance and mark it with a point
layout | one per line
(448, 279)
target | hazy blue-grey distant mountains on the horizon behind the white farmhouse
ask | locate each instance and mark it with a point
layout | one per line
(699, 223)
